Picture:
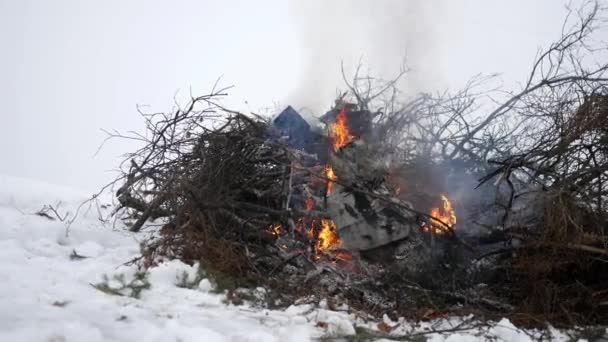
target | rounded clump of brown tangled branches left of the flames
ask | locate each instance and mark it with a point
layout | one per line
(216, 178)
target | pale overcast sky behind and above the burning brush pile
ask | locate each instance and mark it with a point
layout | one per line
(70, 68)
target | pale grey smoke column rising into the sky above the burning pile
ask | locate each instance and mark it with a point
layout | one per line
(379, 34)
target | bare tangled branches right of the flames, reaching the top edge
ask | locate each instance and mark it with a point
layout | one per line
(540, 155)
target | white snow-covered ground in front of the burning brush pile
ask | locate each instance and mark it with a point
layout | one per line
(47, 295)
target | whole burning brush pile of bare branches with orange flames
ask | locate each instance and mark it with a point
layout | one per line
(433, 206)
